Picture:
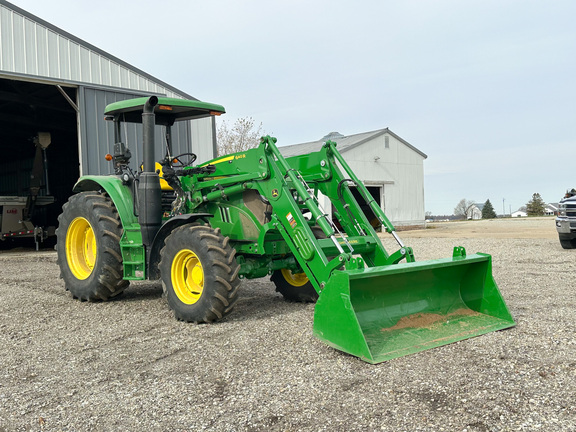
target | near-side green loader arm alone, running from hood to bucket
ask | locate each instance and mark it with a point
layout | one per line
(265, 170)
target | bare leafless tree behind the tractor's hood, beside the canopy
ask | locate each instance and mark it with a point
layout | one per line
(242, 136)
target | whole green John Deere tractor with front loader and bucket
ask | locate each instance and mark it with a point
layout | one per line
(201, 228)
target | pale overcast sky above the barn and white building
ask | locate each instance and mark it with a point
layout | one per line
(486, 89)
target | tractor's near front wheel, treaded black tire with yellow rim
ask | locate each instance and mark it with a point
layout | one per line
(199, 273)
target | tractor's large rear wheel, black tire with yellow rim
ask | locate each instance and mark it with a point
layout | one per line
(88, 236)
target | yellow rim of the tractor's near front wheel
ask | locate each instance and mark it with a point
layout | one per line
(187, 276)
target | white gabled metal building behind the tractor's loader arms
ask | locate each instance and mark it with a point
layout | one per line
(391, 168)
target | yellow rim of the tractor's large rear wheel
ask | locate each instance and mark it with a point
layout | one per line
(81, 248)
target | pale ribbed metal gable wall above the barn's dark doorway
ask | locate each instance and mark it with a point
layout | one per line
(65, 57)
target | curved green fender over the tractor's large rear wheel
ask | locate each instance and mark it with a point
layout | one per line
(120, 194)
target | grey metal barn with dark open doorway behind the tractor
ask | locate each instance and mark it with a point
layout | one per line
(53, 90)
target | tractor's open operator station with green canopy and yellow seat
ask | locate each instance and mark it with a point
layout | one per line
(157, 189)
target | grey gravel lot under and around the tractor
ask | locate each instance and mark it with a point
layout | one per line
(128, 365)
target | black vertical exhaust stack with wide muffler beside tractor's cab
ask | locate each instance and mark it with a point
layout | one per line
(149, 191)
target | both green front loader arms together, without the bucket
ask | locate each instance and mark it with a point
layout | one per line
(291, 187)
